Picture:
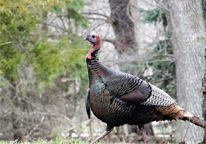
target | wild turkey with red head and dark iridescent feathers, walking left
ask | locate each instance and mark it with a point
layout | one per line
(118, 98)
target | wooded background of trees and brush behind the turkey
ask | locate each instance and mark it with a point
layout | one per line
(43, 75)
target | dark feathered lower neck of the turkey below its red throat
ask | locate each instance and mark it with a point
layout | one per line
(96, 69)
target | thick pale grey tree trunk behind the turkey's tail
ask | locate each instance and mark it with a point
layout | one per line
(188, 39)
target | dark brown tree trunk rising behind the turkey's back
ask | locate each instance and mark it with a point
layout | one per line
(123, 26)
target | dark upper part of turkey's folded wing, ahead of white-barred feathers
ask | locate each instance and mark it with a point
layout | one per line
(127, 88)
